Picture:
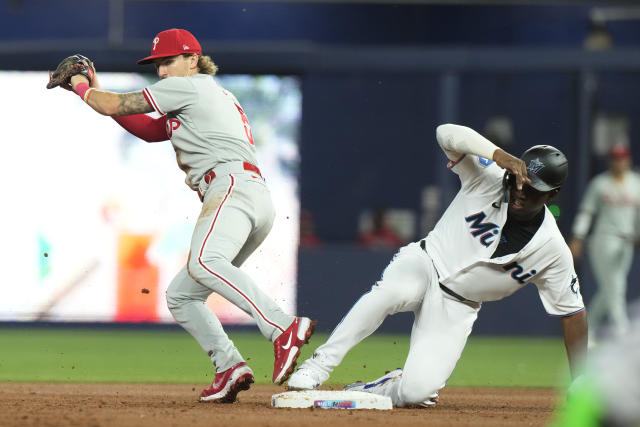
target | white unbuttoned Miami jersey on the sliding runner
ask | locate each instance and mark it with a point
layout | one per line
(463, 241)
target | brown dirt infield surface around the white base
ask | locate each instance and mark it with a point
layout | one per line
(120, 405)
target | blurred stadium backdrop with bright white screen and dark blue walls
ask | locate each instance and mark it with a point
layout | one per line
(344, 97)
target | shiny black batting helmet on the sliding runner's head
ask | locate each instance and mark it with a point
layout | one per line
(547, 167)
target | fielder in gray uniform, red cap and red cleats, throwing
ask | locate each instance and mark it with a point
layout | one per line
(214, 146)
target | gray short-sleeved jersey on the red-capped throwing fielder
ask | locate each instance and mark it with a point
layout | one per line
(206, 124)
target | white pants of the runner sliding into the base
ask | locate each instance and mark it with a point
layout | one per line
(440, 330)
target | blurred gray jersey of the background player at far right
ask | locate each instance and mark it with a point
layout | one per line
(615, 205)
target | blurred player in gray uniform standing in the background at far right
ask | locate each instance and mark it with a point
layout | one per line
(610, 205)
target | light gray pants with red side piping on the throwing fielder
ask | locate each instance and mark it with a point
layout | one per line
(237, 215)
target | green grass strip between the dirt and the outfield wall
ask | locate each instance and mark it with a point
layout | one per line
(161, 356)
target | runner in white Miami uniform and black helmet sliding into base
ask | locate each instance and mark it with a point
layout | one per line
(495, 237)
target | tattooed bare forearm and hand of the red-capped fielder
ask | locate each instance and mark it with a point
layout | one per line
(114, 104)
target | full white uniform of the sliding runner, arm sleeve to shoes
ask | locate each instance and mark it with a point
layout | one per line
(457, 254)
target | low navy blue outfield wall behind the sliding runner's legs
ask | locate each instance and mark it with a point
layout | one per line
(332, 278)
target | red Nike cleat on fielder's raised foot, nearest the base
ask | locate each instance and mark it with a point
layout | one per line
(287, 347)
